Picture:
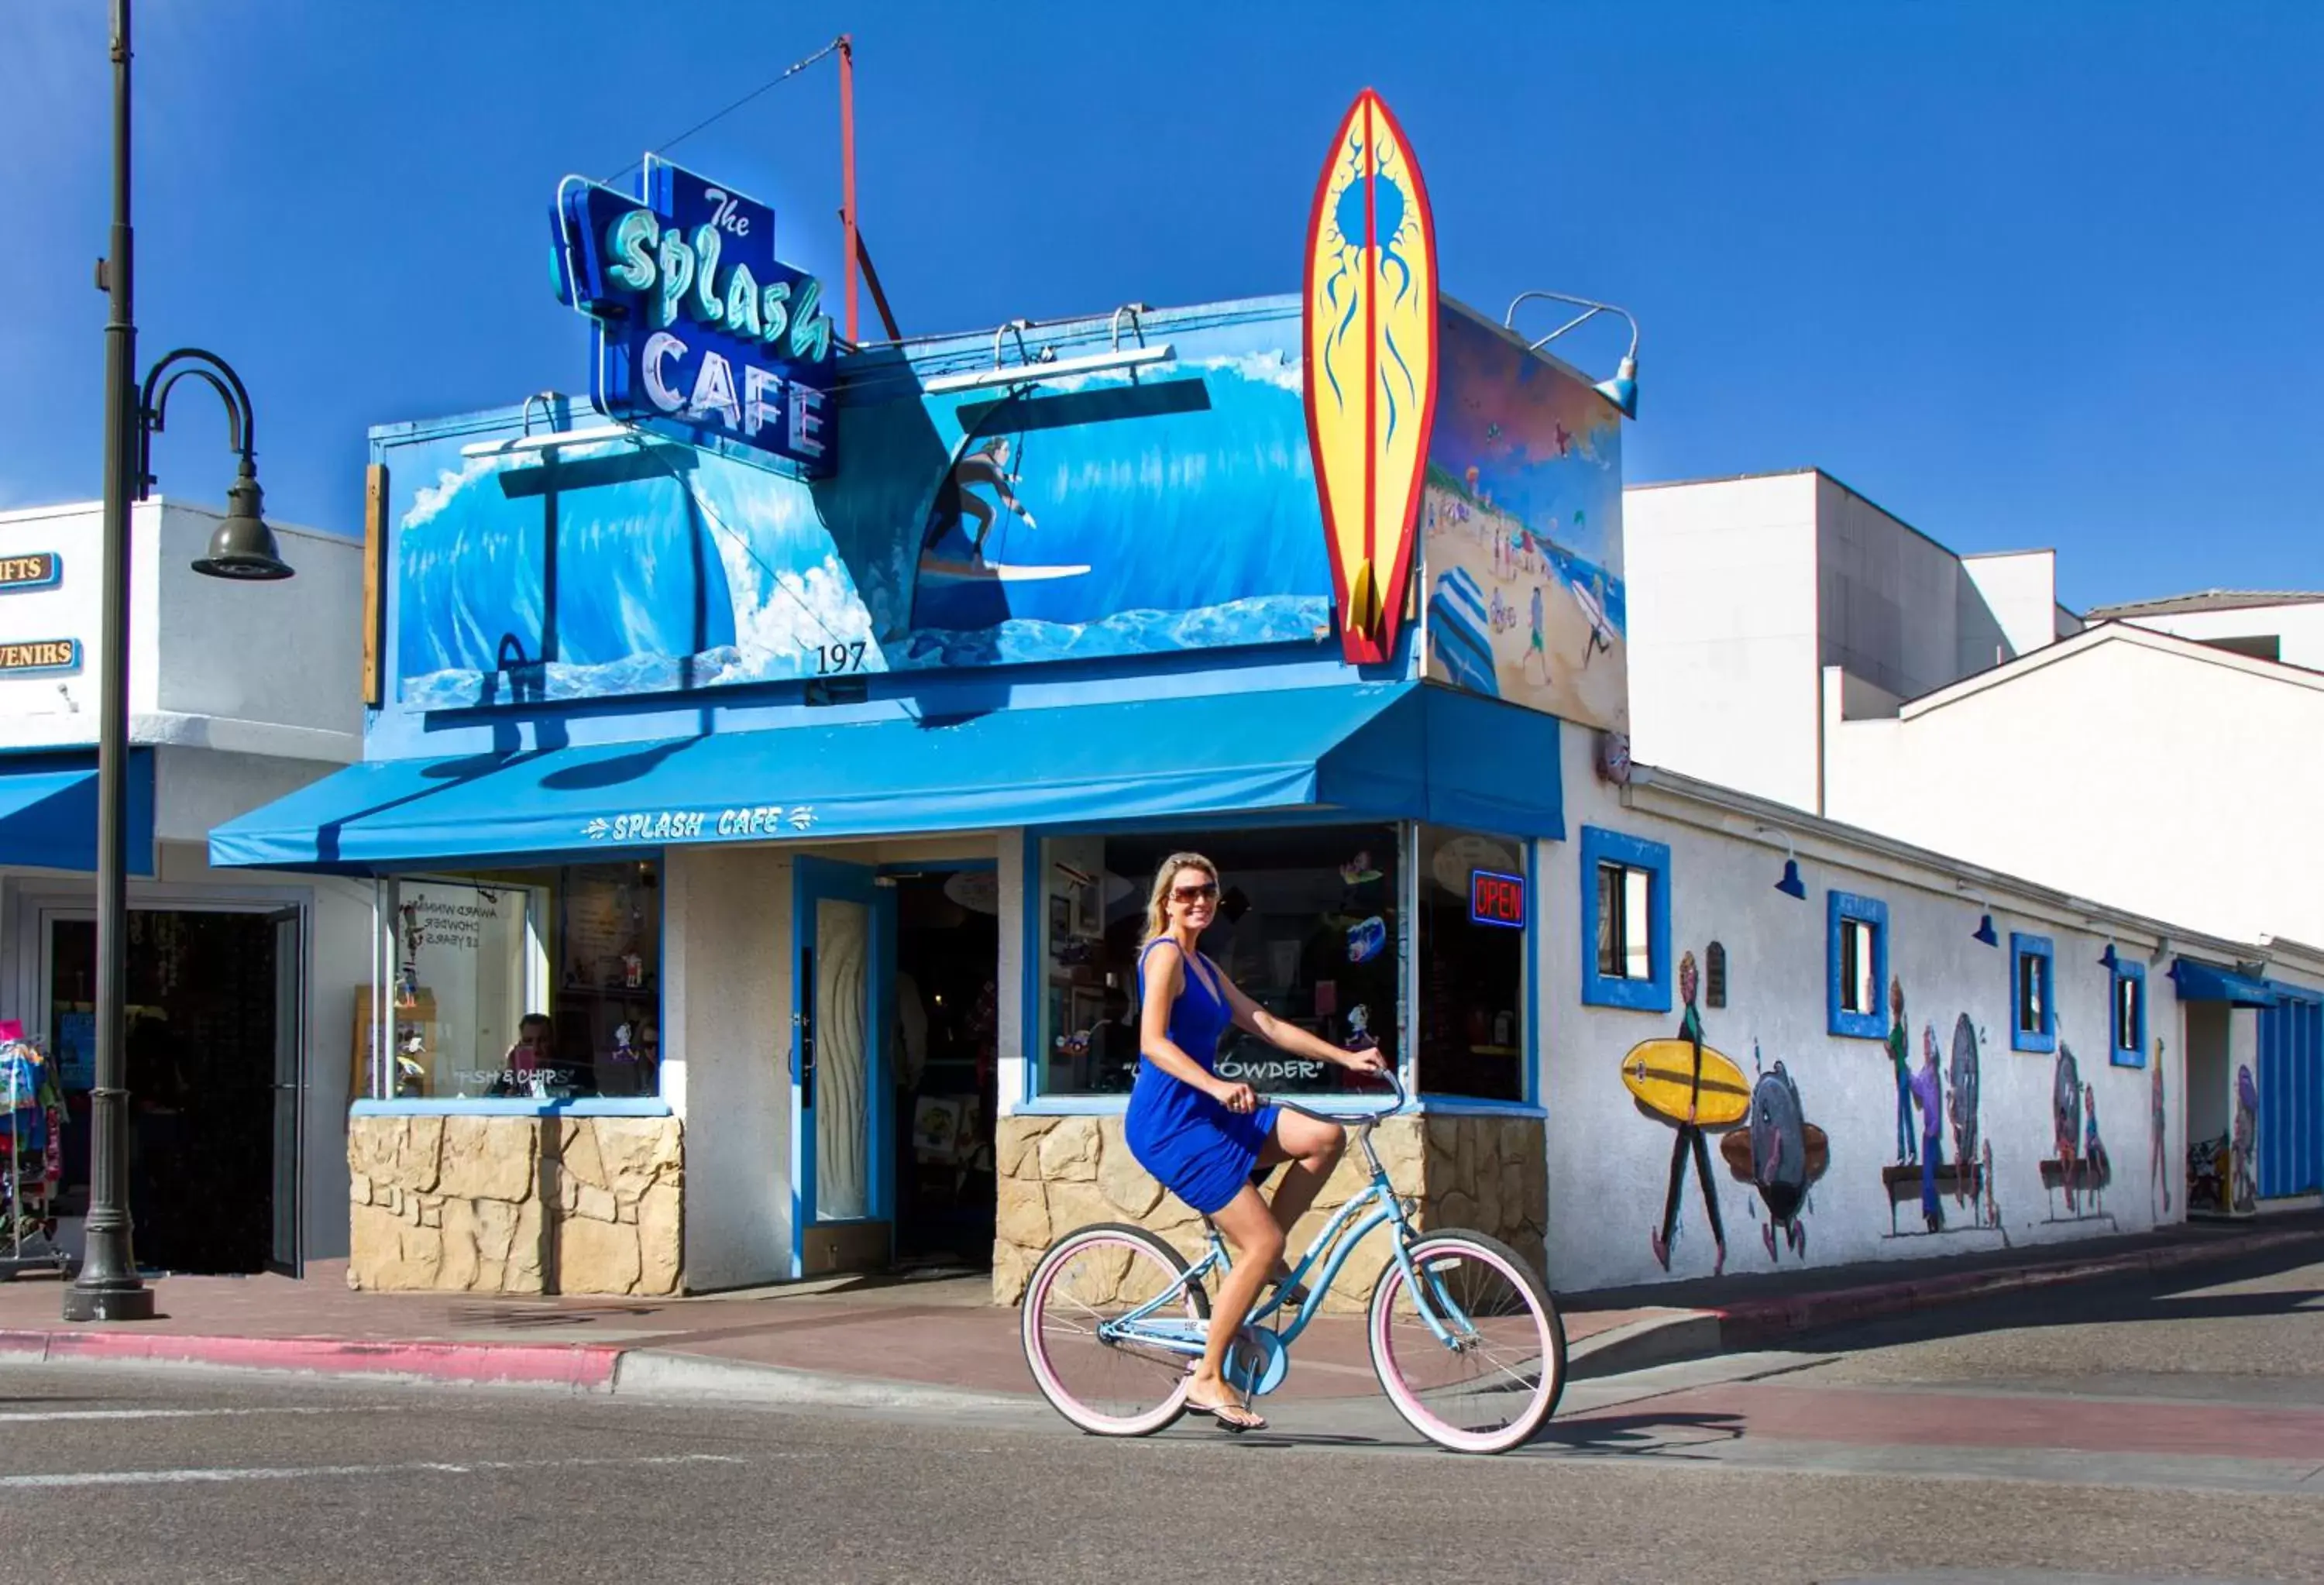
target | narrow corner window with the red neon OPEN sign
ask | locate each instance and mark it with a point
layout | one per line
(1475, 924)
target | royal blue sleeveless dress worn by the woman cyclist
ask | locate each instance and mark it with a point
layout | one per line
(1189, 1142)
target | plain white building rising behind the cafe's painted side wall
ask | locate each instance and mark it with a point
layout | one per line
(1805, 647)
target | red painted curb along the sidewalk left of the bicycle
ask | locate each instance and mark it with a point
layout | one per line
(573, 1365)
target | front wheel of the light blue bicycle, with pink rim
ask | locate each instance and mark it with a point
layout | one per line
(1475, 1356)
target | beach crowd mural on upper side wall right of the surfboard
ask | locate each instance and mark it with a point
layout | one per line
(1521, 531)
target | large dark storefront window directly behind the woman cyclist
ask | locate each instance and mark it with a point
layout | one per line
(1310, 926)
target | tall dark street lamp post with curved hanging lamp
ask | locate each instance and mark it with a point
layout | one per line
(108, 1286)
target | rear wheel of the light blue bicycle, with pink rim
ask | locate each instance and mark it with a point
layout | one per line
(1096, 1277)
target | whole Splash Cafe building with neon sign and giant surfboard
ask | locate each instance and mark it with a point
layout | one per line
(770, 766)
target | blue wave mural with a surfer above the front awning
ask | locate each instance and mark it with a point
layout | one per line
(1110, 512)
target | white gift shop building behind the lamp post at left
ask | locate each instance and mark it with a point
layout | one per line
(238, 982)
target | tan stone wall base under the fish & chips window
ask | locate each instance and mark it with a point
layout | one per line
(517, 1205)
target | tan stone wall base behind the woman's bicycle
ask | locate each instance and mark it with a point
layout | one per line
(1059, 1175)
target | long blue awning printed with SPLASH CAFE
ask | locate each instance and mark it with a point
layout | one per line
(1375, 750)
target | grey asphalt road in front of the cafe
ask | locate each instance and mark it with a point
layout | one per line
(2086, 1435)
